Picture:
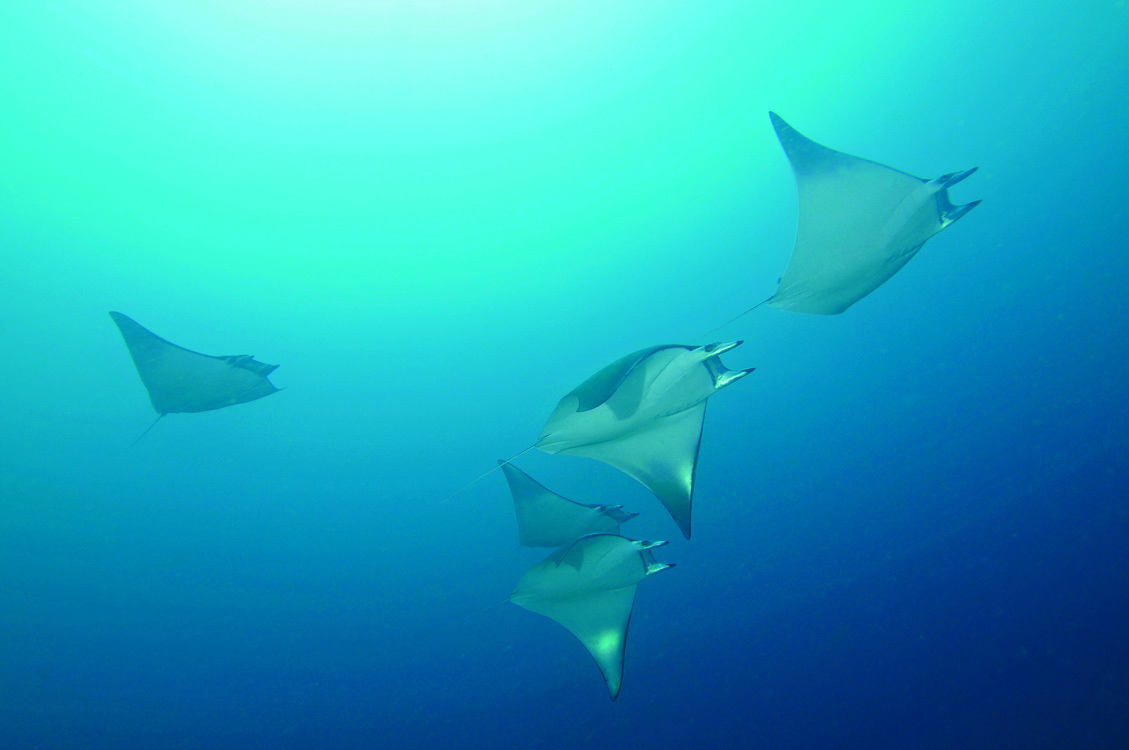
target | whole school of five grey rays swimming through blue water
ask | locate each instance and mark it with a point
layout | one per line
(860, 223)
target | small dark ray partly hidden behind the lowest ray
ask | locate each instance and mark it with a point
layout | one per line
(545, 519)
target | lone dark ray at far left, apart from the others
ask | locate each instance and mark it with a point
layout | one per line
(183, 381)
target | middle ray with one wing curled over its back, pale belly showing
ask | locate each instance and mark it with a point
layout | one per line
(644, 415)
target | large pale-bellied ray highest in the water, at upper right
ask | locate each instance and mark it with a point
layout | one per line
(860, 224)
